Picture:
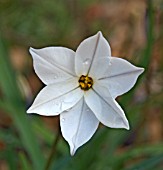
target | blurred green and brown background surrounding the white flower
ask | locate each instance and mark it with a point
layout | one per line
(135, 32)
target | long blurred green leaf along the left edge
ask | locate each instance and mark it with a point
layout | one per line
(13, 104)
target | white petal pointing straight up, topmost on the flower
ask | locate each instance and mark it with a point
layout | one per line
(89, 50)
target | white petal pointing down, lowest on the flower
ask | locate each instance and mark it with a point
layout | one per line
(78, 125)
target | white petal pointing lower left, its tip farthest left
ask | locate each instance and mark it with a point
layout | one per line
(55, 98)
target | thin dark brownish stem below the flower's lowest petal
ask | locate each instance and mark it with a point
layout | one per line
(50, 159)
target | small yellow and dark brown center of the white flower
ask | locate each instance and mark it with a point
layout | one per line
(85, 82)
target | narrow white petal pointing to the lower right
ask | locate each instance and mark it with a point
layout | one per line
(106, 109)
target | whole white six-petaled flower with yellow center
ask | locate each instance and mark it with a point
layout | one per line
(82, 87)
